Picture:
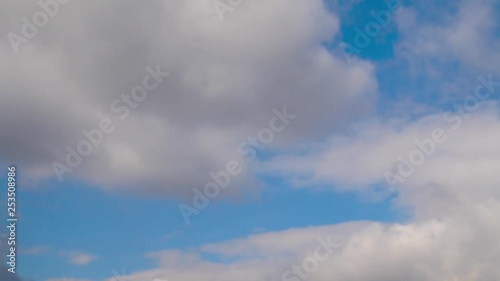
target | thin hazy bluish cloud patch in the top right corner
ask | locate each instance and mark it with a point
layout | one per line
(441, 48)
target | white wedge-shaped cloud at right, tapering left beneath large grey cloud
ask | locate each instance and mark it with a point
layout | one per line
(464, 158)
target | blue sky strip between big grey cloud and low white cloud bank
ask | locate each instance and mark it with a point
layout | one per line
(120, 230)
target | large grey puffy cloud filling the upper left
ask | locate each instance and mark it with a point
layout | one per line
(225, 79)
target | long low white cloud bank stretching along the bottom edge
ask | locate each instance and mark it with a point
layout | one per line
(431, 250)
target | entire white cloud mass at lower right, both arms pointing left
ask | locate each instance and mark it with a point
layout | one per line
(453, 197)
